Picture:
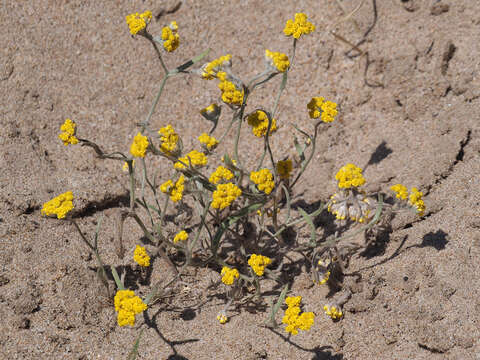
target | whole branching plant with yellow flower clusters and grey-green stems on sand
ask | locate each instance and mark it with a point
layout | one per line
(233, 188)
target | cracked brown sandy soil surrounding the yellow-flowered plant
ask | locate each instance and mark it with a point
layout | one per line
(410, 116)
